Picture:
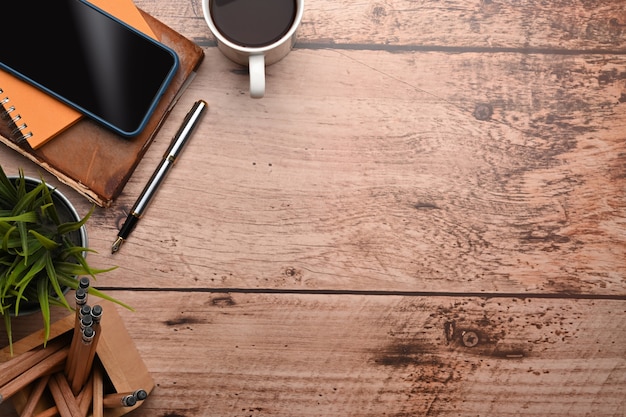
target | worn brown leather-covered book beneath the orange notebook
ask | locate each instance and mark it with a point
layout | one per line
(95, 161)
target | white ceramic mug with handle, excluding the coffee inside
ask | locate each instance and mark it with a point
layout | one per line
(255, 57)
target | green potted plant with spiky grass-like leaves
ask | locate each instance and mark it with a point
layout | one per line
(42, 250)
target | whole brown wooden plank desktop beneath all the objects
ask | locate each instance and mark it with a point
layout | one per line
(426, 215)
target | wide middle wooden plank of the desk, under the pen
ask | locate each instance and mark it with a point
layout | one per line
(417, 172)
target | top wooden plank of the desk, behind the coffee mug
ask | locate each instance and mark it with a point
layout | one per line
(408, 24)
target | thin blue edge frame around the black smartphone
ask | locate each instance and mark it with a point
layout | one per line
(150, 111)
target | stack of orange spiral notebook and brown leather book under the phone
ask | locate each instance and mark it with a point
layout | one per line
(89, 158)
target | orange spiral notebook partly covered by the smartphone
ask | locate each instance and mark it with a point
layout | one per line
(35, 116)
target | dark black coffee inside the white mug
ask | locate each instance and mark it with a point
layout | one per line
(253, 23)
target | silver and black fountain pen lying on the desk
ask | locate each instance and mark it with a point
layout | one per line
(177, 145)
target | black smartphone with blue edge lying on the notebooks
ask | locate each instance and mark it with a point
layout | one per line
(87, 59)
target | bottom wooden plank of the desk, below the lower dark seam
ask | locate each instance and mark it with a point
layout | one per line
(240, 354)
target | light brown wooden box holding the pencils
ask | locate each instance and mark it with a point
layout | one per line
(123, 367)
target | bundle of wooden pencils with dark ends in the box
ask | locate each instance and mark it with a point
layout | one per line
(67, 371)
